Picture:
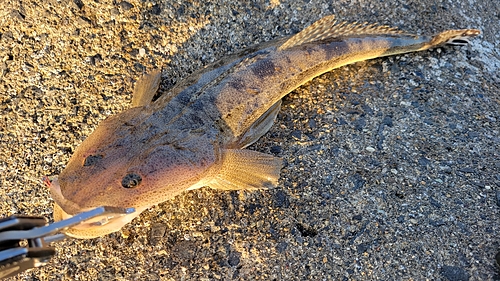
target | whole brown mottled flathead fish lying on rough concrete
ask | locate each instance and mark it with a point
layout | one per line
(196, 134)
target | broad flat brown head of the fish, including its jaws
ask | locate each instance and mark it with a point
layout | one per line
(120, 165)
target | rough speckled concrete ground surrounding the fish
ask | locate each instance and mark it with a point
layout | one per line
(392, 166)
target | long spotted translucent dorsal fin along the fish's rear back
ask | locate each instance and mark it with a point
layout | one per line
(328, 27)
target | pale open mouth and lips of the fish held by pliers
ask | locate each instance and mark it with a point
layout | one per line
(95, 227)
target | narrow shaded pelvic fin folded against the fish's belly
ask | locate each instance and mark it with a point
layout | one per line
(260, 127)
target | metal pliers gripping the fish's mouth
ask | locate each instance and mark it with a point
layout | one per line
(25, 241)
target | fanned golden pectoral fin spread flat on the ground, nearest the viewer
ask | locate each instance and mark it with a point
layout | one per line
(247, 169)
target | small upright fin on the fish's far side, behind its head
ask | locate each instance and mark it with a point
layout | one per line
(145, 88)
